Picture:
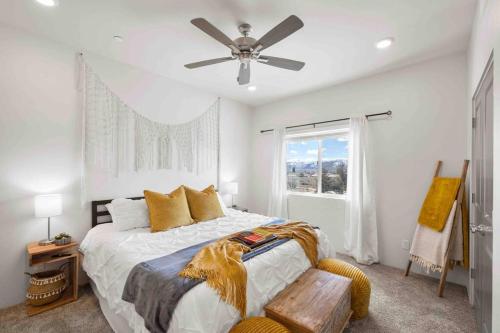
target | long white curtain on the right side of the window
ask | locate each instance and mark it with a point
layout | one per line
(361, 241)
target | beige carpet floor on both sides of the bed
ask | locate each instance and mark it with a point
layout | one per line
(398, 304)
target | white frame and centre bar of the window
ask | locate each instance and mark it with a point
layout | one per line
(319, 136)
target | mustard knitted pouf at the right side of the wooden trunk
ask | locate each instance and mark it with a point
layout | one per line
(360, 289)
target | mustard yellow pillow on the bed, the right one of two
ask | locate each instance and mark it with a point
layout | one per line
(204, 205)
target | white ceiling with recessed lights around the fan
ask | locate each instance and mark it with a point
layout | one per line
(337, 41)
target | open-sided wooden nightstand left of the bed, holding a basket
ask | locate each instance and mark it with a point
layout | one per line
(39, 255)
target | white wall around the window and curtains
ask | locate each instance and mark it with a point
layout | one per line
(429, 123)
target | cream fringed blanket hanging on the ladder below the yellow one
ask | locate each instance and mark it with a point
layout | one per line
(429, 246)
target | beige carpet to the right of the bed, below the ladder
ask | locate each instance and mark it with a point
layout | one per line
(410, 304)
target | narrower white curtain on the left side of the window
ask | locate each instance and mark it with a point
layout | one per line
(278, 200)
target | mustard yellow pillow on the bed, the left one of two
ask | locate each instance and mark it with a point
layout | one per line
(167, 211)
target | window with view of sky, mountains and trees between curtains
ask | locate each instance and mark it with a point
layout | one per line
(318, 164)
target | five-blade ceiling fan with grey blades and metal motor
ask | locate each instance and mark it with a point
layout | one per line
(246, 48)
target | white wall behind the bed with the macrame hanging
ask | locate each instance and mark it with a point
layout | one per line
(40, 142)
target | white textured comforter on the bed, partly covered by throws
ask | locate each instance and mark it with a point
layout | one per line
(110, 255)
